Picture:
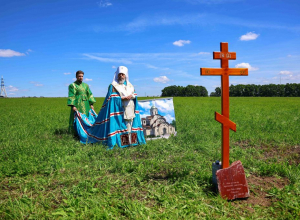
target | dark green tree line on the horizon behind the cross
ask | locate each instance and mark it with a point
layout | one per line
(249, 90)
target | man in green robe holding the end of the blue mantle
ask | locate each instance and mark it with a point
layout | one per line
(80, 98)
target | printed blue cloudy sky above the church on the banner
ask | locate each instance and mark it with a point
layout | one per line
(164, 107)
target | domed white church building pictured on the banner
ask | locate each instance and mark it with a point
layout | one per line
(156, 125)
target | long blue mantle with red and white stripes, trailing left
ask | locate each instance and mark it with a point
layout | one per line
(109, 126)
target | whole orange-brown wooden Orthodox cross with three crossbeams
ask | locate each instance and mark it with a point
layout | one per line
(225, 72)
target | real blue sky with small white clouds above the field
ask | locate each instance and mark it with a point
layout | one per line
(162, 43)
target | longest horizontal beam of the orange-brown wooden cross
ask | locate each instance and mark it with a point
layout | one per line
(224, 71)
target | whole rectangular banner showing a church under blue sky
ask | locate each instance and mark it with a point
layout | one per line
(161, 121)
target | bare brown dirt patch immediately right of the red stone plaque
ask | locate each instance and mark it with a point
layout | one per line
(259, 186)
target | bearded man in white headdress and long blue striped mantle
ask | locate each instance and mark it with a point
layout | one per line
(118, 122)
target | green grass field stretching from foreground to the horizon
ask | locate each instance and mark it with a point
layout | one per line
(47, 174)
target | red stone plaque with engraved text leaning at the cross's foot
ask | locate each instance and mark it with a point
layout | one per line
(232, 183)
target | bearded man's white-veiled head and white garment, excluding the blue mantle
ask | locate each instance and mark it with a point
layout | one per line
(122, 85)
